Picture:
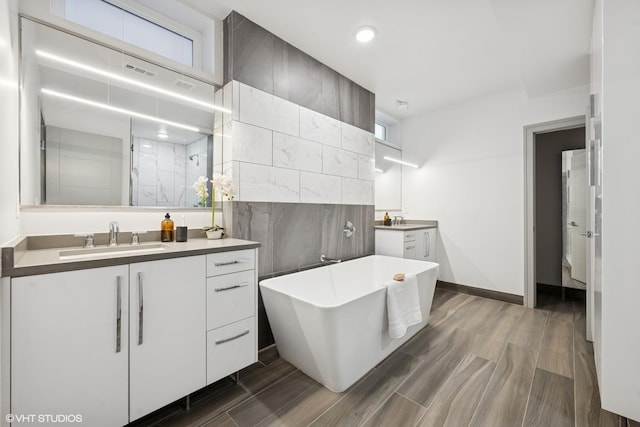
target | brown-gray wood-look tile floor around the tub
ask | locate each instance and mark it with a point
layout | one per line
(479, 362)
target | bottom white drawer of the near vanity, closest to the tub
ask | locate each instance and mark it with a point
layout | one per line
(230, 349)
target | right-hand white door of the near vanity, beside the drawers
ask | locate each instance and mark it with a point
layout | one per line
(168, 332)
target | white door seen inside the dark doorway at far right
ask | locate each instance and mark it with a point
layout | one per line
(577, 215)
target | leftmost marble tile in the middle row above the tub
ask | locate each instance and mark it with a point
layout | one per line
(251, 144)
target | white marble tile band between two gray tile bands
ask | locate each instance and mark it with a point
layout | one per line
(278, 151)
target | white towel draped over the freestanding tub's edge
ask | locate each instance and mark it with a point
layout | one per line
(403, 305)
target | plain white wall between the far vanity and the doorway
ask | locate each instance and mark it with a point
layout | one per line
(471, 179)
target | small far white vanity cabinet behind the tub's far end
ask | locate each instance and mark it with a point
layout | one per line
(418, 243)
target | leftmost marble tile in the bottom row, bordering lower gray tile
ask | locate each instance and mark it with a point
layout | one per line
(260, 183)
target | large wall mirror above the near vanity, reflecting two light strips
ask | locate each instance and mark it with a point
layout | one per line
(101, 127)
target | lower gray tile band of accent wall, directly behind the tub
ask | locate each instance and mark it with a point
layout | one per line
(294, 235)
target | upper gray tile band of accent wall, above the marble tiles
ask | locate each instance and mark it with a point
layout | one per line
(258, 58)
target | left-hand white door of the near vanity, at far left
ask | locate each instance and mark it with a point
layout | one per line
(69, 345)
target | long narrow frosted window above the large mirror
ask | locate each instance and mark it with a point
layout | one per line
(113, 21)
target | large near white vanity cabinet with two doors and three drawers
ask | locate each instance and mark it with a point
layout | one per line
(113, 344)
